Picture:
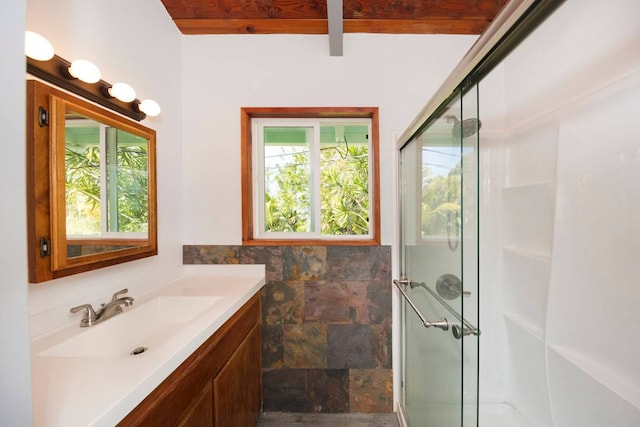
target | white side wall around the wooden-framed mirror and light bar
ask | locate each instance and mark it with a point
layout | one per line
(138, 43)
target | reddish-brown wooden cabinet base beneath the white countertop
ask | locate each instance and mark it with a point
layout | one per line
(218, 385)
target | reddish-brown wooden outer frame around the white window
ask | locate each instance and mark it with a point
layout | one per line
(247, 114)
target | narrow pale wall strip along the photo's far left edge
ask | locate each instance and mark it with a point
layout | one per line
(15, 379)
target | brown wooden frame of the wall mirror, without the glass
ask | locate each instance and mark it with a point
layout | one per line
(46, 218)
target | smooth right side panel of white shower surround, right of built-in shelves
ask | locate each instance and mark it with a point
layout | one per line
(592, 313)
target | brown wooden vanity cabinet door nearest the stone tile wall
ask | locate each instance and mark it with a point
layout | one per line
(237, 388)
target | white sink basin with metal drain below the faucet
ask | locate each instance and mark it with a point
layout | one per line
(141, 330)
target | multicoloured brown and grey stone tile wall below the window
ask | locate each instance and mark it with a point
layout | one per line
(326, 324)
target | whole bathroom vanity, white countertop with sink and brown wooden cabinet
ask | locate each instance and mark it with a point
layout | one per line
(189, 355)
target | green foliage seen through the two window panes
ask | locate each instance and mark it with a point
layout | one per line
(344, 192)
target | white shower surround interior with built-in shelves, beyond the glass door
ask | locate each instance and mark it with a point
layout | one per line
(560, 236)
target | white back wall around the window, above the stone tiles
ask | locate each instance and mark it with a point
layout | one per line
(397, 73)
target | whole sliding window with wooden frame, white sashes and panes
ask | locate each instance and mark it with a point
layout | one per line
(310, 176)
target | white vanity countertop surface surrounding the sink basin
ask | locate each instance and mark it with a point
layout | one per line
(86, 391)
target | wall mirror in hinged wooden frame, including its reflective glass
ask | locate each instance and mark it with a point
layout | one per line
(91, 186)
